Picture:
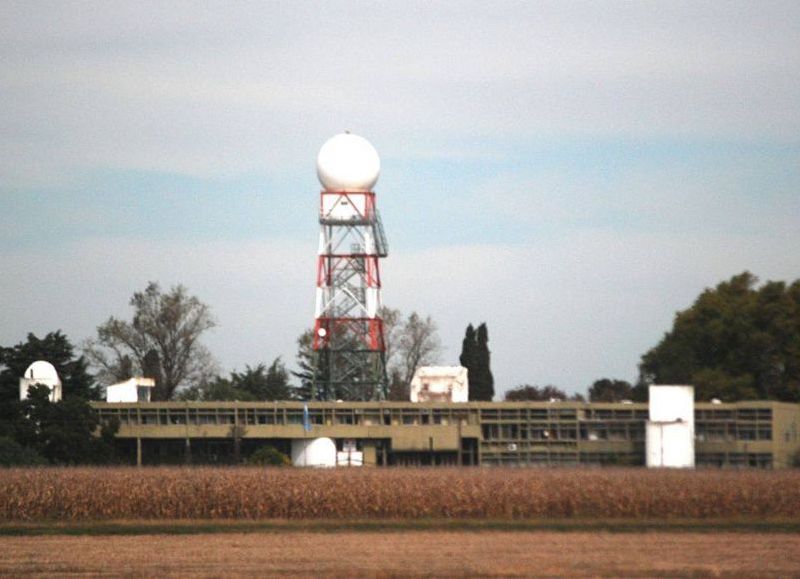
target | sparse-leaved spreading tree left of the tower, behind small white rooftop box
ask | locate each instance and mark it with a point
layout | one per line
(162, 340)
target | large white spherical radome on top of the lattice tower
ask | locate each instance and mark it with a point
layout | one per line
(348, 162)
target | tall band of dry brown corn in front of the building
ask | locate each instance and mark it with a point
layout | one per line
(85, 494)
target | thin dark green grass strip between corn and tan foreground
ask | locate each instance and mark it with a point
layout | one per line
(194, 527)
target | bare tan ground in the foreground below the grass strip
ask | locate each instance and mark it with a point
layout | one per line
(421, 553)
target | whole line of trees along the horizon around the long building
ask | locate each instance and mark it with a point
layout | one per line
(737, 341)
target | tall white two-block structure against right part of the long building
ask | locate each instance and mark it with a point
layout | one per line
(670, 430)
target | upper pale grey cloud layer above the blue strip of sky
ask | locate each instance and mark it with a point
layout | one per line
(227, 89)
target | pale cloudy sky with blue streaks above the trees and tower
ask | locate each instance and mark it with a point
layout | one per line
(570, 173)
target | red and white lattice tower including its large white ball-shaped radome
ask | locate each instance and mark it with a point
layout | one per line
(348, 330)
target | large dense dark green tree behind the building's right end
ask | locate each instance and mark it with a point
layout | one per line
(737, 341)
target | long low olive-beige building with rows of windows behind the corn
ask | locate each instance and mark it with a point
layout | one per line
(758, 434)
